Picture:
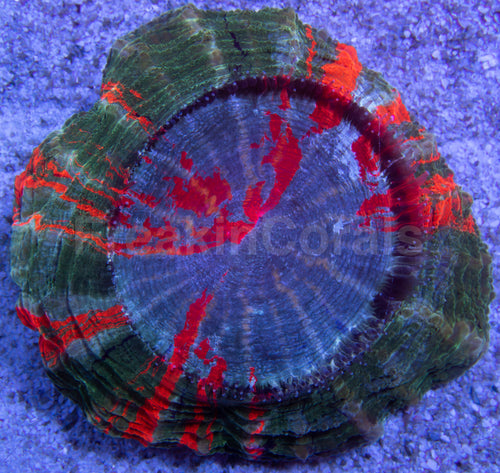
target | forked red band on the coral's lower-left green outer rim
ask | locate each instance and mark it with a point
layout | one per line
(57, 335)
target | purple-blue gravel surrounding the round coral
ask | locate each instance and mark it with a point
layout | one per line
(442, 55)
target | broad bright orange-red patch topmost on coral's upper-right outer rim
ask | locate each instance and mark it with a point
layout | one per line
(343, 73)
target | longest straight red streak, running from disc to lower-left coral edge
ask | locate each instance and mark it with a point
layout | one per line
(148, 414)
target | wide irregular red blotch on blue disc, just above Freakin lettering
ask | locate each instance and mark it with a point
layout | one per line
(201, 195)
